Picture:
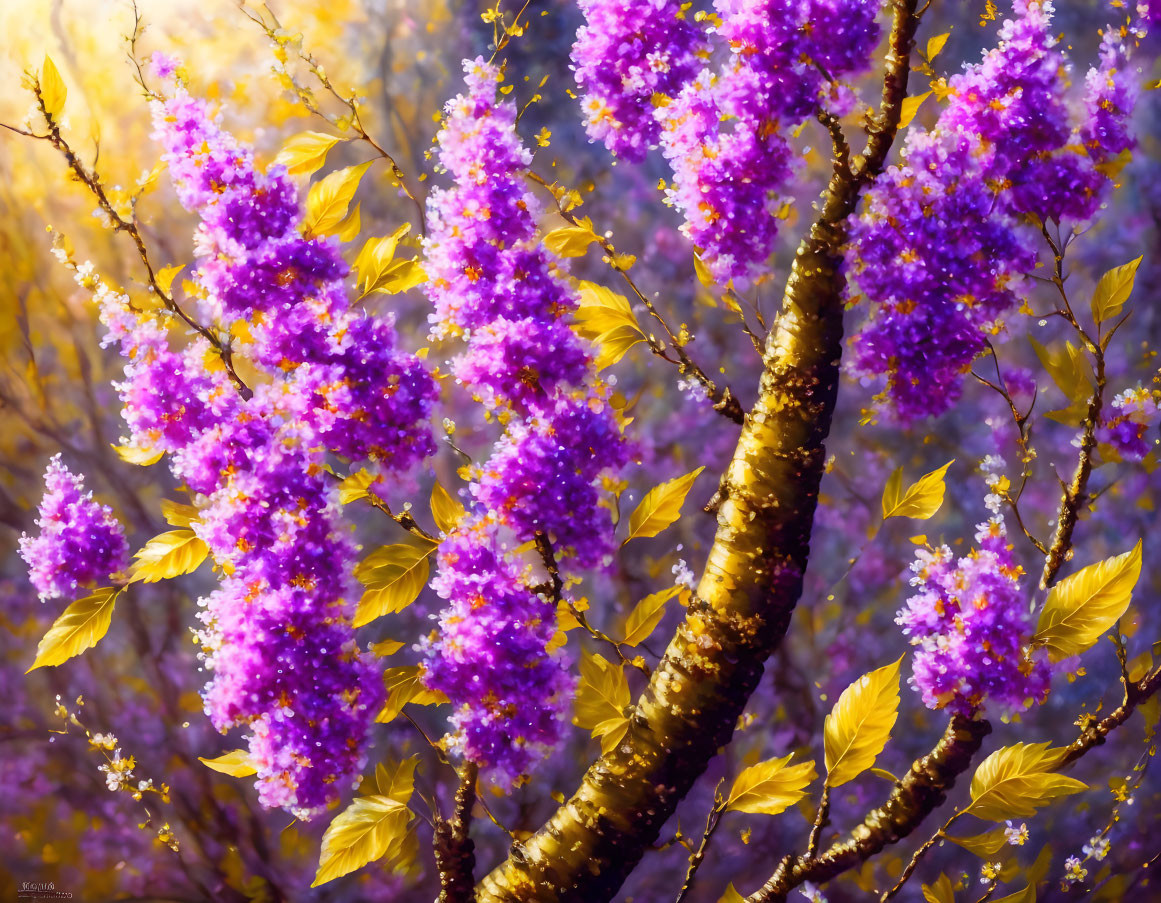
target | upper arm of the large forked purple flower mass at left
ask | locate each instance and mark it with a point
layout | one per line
(359, 395)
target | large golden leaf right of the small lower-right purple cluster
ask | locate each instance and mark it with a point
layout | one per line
(1085, 605)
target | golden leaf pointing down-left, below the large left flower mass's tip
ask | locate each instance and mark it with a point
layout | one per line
(366, 832)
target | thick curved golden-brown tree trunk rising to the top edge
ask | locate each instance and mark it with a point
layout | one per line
(753, 580)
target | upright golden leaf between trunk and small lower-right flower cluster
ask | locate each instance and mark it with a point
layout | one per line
(860, 725)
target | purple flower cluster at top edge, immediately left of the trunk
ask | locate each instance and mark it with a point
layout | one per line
(726, 134)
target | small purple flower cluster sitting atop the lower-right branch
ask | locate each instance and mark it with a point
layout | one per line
(971, 624)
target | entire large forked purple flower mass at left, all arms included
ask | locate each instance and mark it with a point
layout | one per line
(278, 634)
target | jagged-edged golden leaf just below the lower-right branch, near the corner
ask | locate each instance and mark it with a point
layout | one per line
(1018, 781)
